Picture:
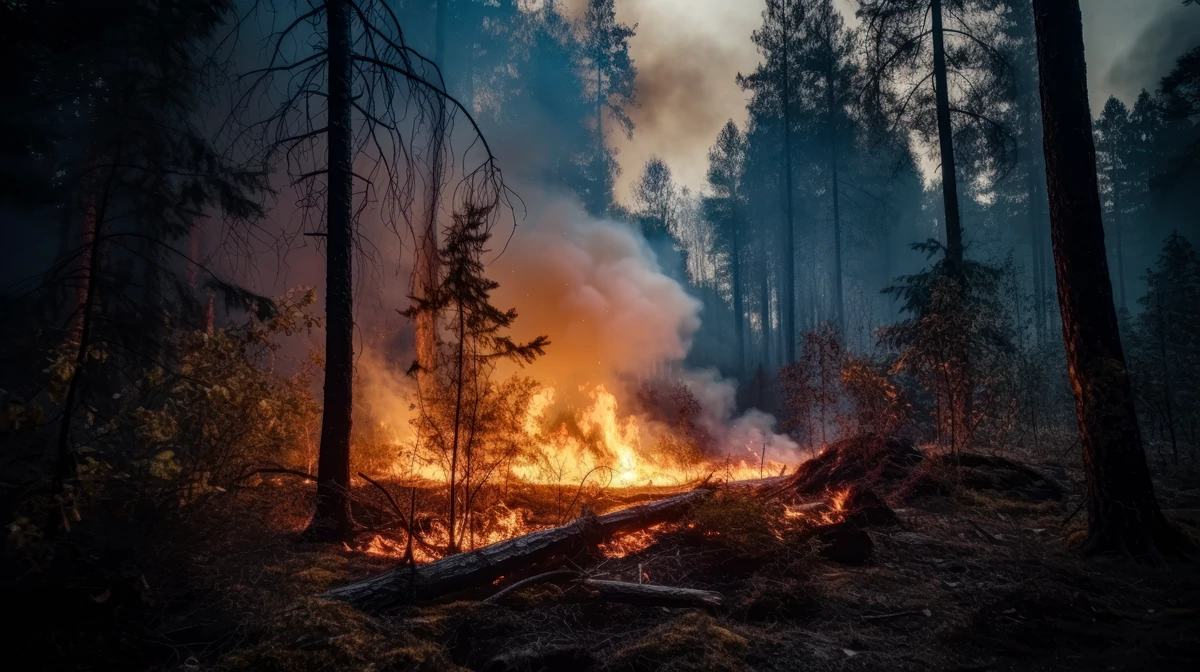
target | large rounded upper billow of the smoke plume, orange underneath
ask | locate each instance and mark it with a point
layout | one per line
(595, 287)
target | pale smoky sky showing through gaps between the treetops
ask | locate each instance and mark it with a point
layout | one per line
(689, 52)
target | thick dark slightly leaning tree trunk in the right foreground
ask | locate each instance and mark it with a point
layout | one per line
(1123, 512)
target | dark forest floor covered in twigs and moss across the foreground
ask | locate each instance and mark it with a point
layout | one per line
(981, 578)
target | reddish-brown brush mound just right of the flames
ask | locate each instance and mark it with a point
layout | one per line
(866, 463)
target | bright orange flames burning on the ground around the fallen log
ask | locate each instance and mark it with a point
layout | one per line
(569, 458)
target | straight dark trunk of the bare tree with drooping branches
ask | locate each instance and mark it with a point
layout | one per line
(333, 521)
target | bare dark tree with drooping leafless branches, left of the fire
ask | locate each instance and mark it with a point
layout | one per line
(358, 94)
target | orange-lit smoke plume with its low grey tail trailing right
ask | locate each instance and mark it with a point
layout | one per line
(596, 289)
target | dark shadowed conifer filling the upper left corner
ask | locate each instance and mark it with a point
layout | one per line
(115, 91)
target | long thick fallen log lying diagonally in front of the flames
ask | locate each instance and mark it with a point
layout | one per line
(473, 569)
